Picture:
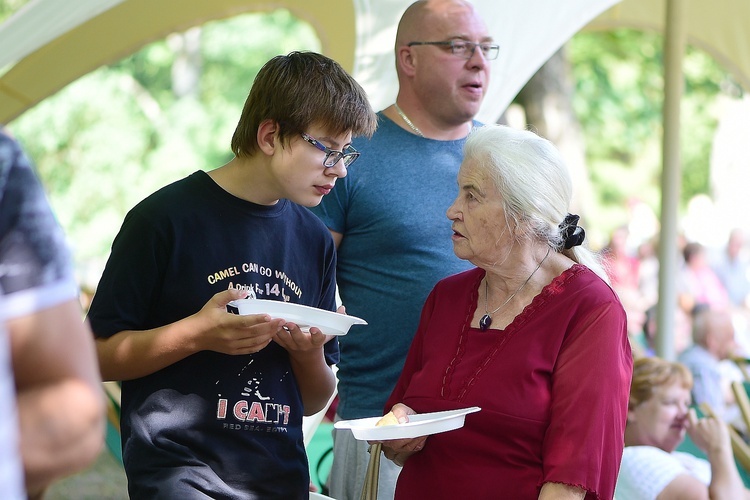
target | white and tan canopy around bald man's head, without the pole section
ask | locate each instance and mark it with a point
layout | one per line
(50, 43)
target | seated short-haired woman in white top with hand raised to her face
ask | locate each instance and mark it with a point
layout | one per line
(658, 418)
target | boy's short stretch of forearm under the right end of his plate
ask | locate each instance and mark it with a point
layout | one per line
(315, 379)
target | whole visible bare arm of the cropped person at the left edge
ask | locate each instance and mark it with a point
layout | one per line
(59, 398)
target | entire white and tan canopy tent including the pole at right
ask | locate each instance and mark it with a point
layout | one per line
(50, 43)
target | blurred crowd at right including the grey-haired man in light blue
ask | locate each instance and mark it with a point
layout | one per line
(711, 333)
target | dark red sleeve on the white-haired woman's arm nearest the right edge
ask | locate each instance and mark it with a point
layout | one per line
(590, 387)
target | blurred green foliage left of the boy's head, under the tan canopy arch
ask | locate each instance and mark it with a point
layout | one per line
(111, 138)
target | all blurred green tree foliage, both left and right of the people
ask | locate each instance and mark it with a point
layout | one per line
(111, 138)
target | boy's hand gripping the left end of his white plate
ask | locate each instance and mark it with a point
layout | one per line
(233, 334)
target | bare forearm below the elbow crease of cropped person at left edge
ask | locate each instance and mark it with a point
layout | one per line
(62, 429)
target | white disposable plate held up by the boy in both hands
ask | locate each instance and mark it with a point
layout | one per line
(330, 323)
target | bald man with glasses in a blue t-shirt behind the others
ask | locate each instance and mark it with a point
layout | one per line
(387, 216)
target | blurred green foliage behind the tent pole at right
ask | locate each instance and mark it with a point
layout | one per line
(619, 98)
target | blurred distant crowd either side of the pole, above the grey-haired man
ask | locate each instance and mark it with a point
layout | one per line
(715, 277)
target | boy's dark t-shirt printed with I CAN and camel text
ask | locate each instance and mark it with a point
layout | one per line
(226, 426)
